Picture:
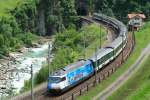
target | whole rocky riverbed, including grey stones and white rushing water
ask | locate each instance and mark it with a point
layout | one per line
(15, 69)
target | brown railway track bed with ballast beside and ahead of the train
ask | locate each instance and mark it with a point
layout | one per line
(41, 94)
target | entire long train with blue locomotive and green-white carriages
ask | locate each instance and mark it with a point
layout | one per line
(75, 73)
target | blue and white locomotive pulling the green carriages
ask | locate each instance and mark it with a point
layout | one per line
(70, 76)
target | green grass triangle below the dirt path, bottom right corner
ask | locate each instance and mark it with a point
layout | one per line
(137, 87)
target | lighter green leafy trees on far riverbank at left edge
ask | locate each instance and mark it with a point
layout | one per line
(11, 36)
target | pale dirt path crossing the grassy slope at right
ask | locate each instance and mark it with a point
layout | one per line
(125, 76)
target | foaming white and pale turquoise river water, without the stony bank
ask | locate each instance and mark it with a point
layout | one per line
(21, 67)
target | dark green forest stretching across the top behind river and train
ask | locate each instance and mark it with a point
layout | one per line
(32, 18)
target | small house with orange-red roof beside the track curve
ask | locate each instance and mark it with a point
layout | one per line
(135, 20)
